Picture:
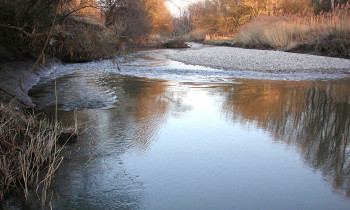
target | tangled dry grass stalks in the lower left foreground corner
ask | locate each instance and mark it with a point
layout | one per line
(29, 153)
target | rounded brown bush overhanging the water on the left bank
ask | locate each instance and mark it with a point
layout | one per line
(77, 40)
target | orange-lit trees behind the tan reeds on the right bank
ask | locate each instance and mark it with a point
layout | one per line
(225, 16)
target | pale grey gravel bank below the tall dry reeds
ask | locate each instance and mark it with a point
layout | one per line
(231, 58)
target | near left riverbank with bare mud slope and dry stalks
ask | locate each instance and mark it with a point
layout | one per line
(30, 146)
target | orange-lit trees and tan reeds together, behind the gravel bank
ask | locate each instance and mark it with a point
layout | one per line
(307, 26)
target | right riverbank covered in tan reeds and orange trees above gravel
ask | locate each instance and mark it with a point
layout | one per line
(295, 26)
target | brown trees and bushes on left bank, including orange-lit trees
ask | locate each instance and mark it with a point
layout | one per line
(77, 31)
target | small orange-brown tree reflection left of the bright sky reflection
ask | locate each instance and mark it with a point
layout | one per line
(152, 102)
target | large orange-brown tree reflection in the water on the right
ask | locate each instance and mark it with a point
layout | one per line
(314, 116)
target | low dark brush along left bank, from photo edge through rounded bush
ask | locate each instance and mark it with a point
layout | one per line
(74, 40)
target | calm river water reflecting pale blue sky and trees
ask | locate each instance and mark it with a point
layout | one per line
(195, 141)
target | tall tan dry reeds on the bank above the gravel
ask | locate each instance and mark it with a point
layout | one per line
(317, 33)
